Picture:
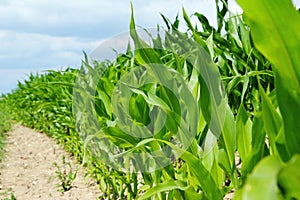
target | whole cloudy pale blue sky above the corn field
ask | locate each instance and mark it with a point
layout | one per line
(51, 34)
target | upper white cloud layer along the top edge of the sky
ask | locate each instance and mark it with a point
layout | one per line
(93, 18)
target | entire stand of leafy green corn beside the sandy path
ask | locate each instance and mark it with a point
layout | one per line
(255, 115)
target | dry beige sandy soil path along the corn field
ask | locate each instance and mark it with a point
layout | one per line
(27, 170)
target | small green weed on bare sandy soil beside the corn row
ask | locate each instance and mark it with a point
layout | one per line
(65, 175)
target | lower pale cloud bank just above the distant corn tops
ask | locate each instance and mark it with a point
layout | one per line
(23, 53)
